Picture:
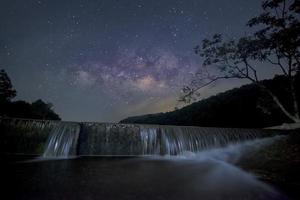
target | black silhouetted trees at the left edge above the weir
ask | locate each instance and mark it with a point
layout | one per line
(22, 109)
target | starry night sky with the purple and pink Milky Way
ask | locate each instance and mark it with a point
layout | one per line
(105, 60)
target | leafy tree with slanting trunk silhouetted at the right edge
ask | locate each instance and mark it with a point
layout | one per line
(276, 42)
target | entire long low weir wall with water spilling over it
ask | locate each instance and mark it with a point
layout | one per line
(62, 139)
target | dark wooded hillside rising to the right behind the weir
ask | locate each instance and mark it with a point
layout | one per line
(244, 107)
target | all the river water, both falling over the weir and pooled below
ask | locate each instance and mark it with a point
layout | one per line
(173, 163)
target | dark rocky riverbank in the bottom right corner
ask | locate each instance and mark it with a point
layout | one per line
(277, 164)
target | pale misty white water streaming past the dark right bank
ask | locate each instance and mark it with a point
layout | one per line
(216, 176)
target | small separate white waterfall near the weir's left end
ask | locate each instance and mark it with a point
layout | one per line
(62, 140)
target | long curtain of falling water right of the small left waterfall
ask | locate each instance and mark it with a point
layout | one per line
(126, 139)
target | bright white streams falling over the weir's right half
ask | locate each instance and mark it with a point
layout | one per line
(176, 140)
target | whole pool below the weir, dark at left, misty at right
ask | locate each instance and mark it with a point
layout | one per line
(207, 175)
